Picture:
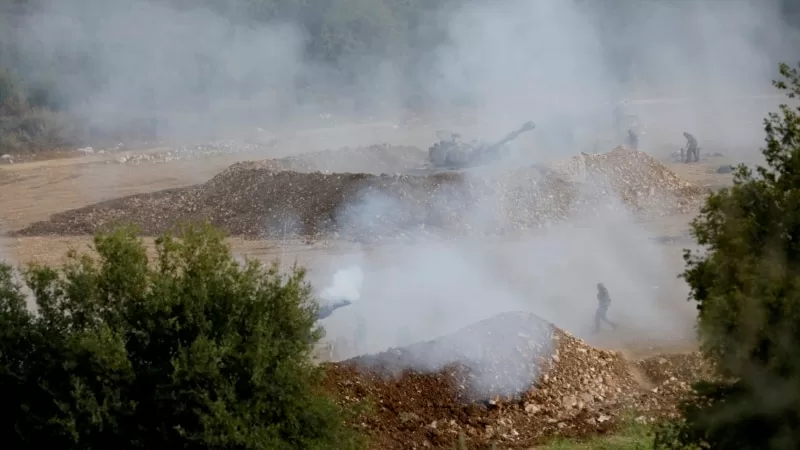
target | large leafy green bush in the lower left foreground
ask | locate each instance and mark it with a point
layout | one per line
(194, 351)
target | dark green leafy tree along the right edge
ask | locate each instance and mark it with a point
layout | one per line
(746, 284)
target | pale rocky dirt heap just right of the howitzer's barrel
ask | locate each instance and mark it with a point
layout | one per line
(648, 187)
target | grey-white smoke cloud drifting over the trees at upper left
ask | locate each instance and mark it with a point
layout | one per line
(189, 70)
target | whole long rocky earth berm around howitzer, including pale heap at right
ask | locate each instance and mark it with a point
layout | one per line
(264, 199)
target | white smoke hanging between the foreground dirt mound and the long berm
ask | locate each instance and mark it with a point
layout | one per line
(430, 287)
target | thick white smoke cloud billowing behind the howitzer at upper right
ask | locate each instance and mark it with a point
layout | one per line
(564, 65)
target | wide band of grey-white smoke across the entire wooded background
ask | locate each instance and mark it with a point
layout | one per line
(193, 73)
